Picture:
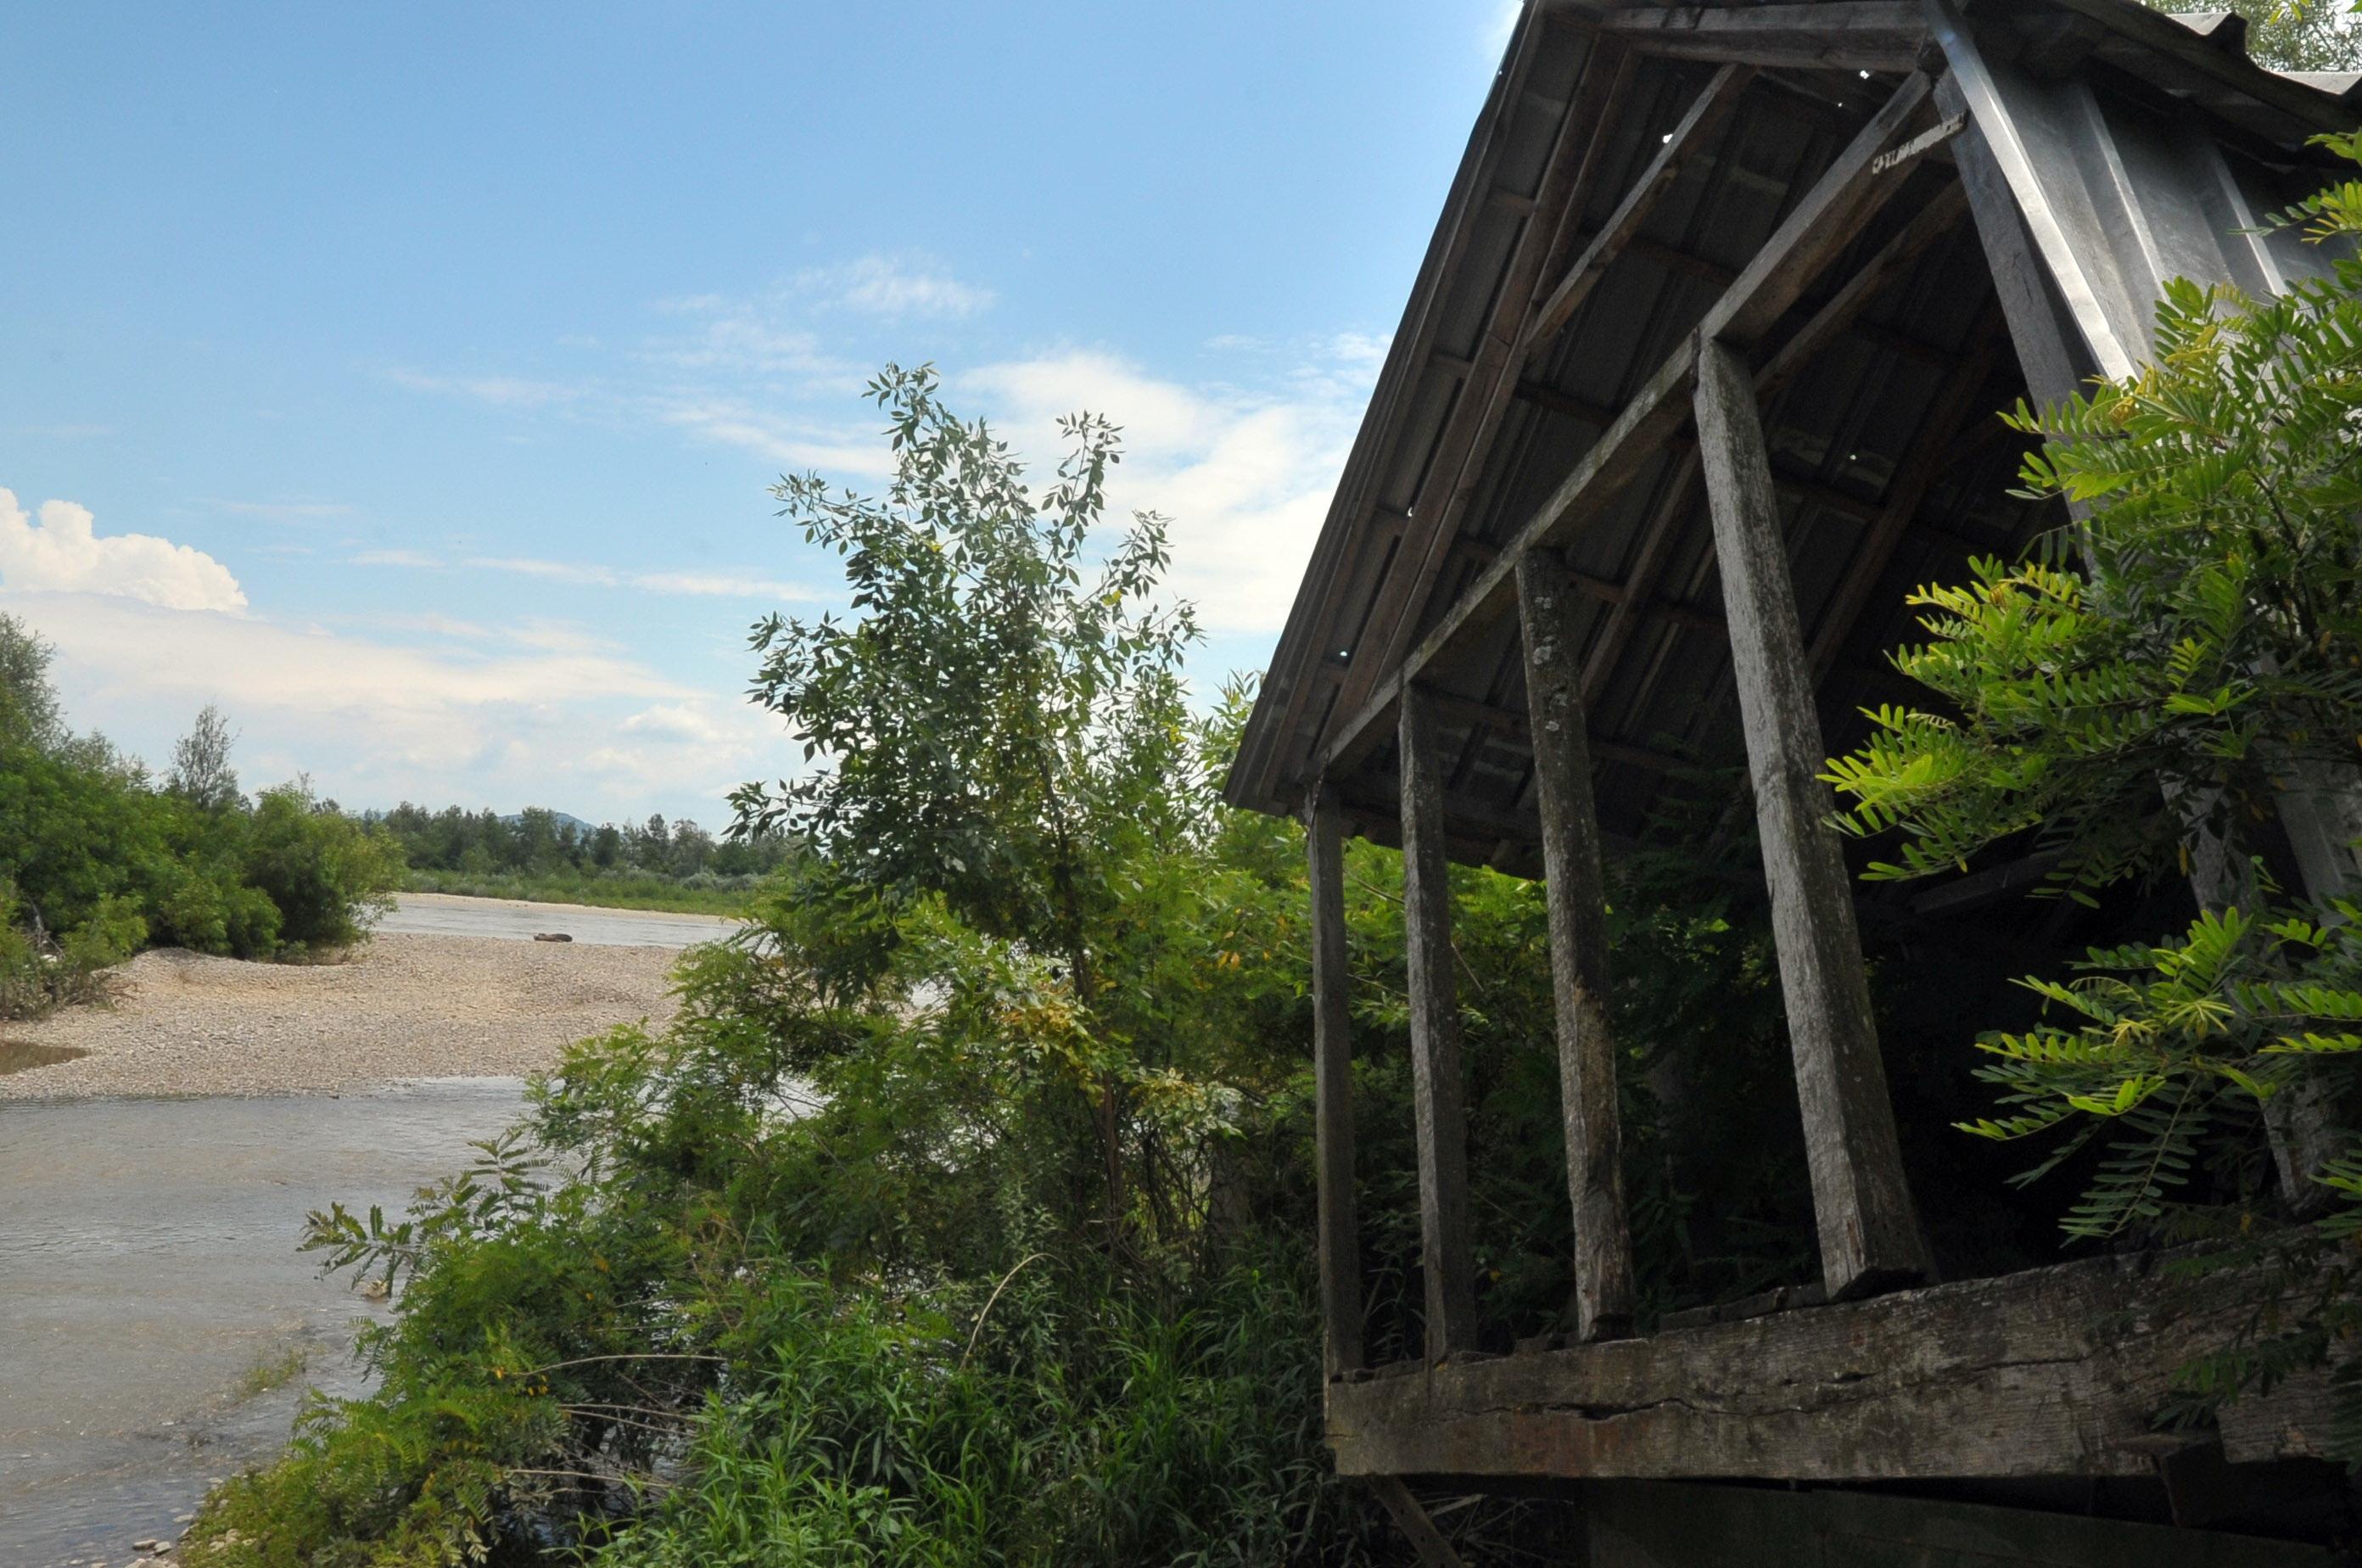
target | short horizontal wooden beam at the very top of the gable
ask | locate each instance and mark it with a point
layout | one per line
(1844, 37)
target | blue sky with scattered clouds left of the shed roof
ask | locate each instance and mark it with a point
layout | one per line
(412, 381)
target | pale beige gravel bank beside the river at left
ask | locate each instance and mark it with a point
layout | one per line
(403, 1007)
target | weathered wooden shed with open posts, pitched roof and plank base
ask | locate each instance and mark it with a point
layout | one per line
(1695, 384)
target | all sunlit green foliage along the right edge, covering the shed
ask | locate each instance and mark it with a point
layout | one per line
(2144, 712)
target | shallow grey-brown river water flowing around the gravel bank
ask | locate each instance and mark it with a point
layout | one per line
(150, 1269)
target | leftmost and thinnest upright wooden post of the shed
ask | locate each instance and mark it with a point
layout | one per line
(1333, 1090)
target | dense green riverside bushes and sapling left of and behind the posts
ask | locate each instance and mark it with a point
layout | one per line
(963, 1215)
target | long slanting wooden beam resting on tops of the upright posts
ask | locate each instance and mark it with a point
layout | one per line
(1829, 216)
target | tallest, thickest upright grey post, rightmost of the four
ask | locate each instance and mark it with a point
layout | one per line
(1862, 1203)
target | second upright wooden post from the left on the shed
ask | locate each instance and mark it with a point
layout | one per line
(1435, 1043)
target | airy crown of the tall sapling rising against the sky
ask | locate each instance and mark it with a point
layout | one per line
(996, 731)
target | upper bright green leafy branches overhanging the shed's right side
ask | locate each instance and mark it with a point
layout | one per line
(2207, 646)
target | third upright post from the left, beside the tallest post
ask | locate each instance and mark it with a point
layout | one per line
(1579, 946)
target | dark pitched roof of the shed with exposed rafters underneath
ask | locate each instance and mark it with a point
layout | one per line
(1629, 166)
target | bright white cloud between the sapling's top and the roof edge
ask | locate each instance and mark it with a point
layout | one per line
(1244, 478)
